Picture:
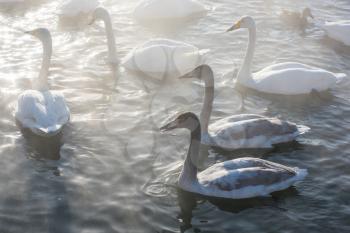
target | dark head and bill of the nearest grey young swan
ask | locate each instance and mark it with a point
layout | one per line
(186, 120)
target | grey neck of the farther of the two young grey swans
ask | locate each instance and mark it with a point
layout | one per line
(208, 101)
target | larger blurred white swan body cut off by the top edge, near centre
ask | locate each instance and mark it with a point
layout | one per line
(168, 9)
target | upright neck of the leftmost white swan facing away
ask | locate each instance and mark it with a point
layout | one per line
(44, 71)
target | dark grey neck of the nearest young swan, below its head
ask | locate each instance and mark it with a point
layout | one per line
(188, 175)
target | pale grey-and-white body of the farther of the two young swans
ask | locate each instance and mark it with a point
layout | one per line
(252, 133)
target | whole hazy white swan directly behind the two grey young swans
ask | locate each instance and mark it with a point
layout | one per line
(156, 58)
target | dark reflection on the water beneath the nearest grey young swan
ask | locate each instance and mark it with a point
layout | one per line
(188, 202)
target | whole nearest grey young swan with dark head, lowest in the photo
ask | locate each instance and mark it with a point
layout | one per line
(235, 179)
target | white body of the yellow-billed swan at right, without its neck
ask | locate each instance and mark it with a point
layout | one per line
(293, 79)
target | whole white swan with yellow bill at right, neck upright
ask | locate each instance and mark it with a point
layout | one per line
(289, 78)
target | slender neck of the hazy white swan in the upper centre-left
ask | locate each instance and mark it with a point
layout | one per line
(110, 37)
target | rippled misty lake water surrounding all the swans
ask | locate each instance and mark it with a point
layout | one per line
(115, 171)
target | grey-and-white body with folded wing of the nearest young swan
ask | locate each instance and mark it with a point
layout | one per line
(247, 177)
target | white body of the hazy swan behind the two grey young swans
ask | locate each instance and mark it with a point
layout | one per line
(162, 57)
